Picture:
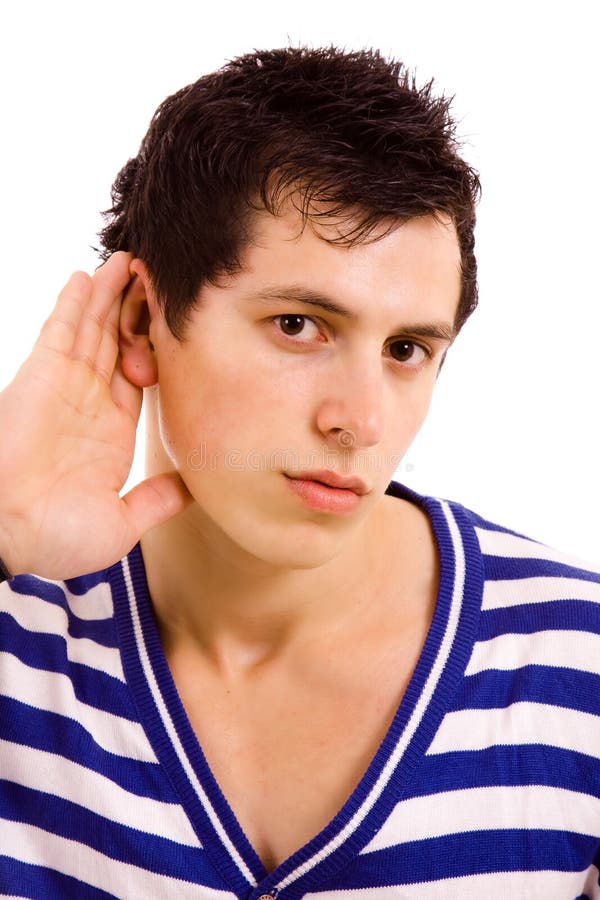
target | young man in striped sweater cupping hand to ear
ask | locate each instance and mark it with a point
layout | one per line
(287, 676)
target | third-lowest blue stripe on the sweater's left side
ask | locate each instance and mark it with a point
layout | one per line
(25, 725)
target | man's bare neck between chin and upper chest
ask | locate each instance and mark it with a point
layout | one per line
(236, 611)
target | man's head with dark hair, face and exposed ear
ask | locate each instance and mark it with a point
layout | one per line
(302, 229)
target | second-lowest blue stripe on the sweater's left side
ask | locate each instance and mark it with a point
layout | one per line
(118, 842)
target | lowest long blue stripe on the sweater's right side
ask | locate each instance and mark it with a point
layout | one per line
(472, 853)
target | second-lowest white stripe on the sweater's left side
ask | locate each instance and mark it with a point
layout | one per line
(52, 774)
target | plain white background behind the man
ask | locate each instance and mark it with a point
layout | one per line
(513, 428)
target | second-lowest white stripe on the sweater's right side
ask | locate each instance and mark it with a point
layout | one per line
(482, 809)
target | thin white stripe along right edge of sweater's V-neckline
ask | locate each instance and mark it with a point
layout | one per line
(417, 715)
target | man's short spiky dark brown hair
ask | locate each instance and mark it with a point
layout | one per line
(350, 130)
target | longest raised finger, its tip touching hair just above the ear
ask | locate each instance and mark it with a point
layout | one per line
(108, 285)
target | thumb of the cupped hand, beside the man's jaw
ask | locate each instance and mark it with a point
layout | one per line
(156, 500)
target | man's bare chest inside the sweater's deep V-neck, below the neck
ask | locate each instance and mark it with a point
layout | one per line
(288, 755)
